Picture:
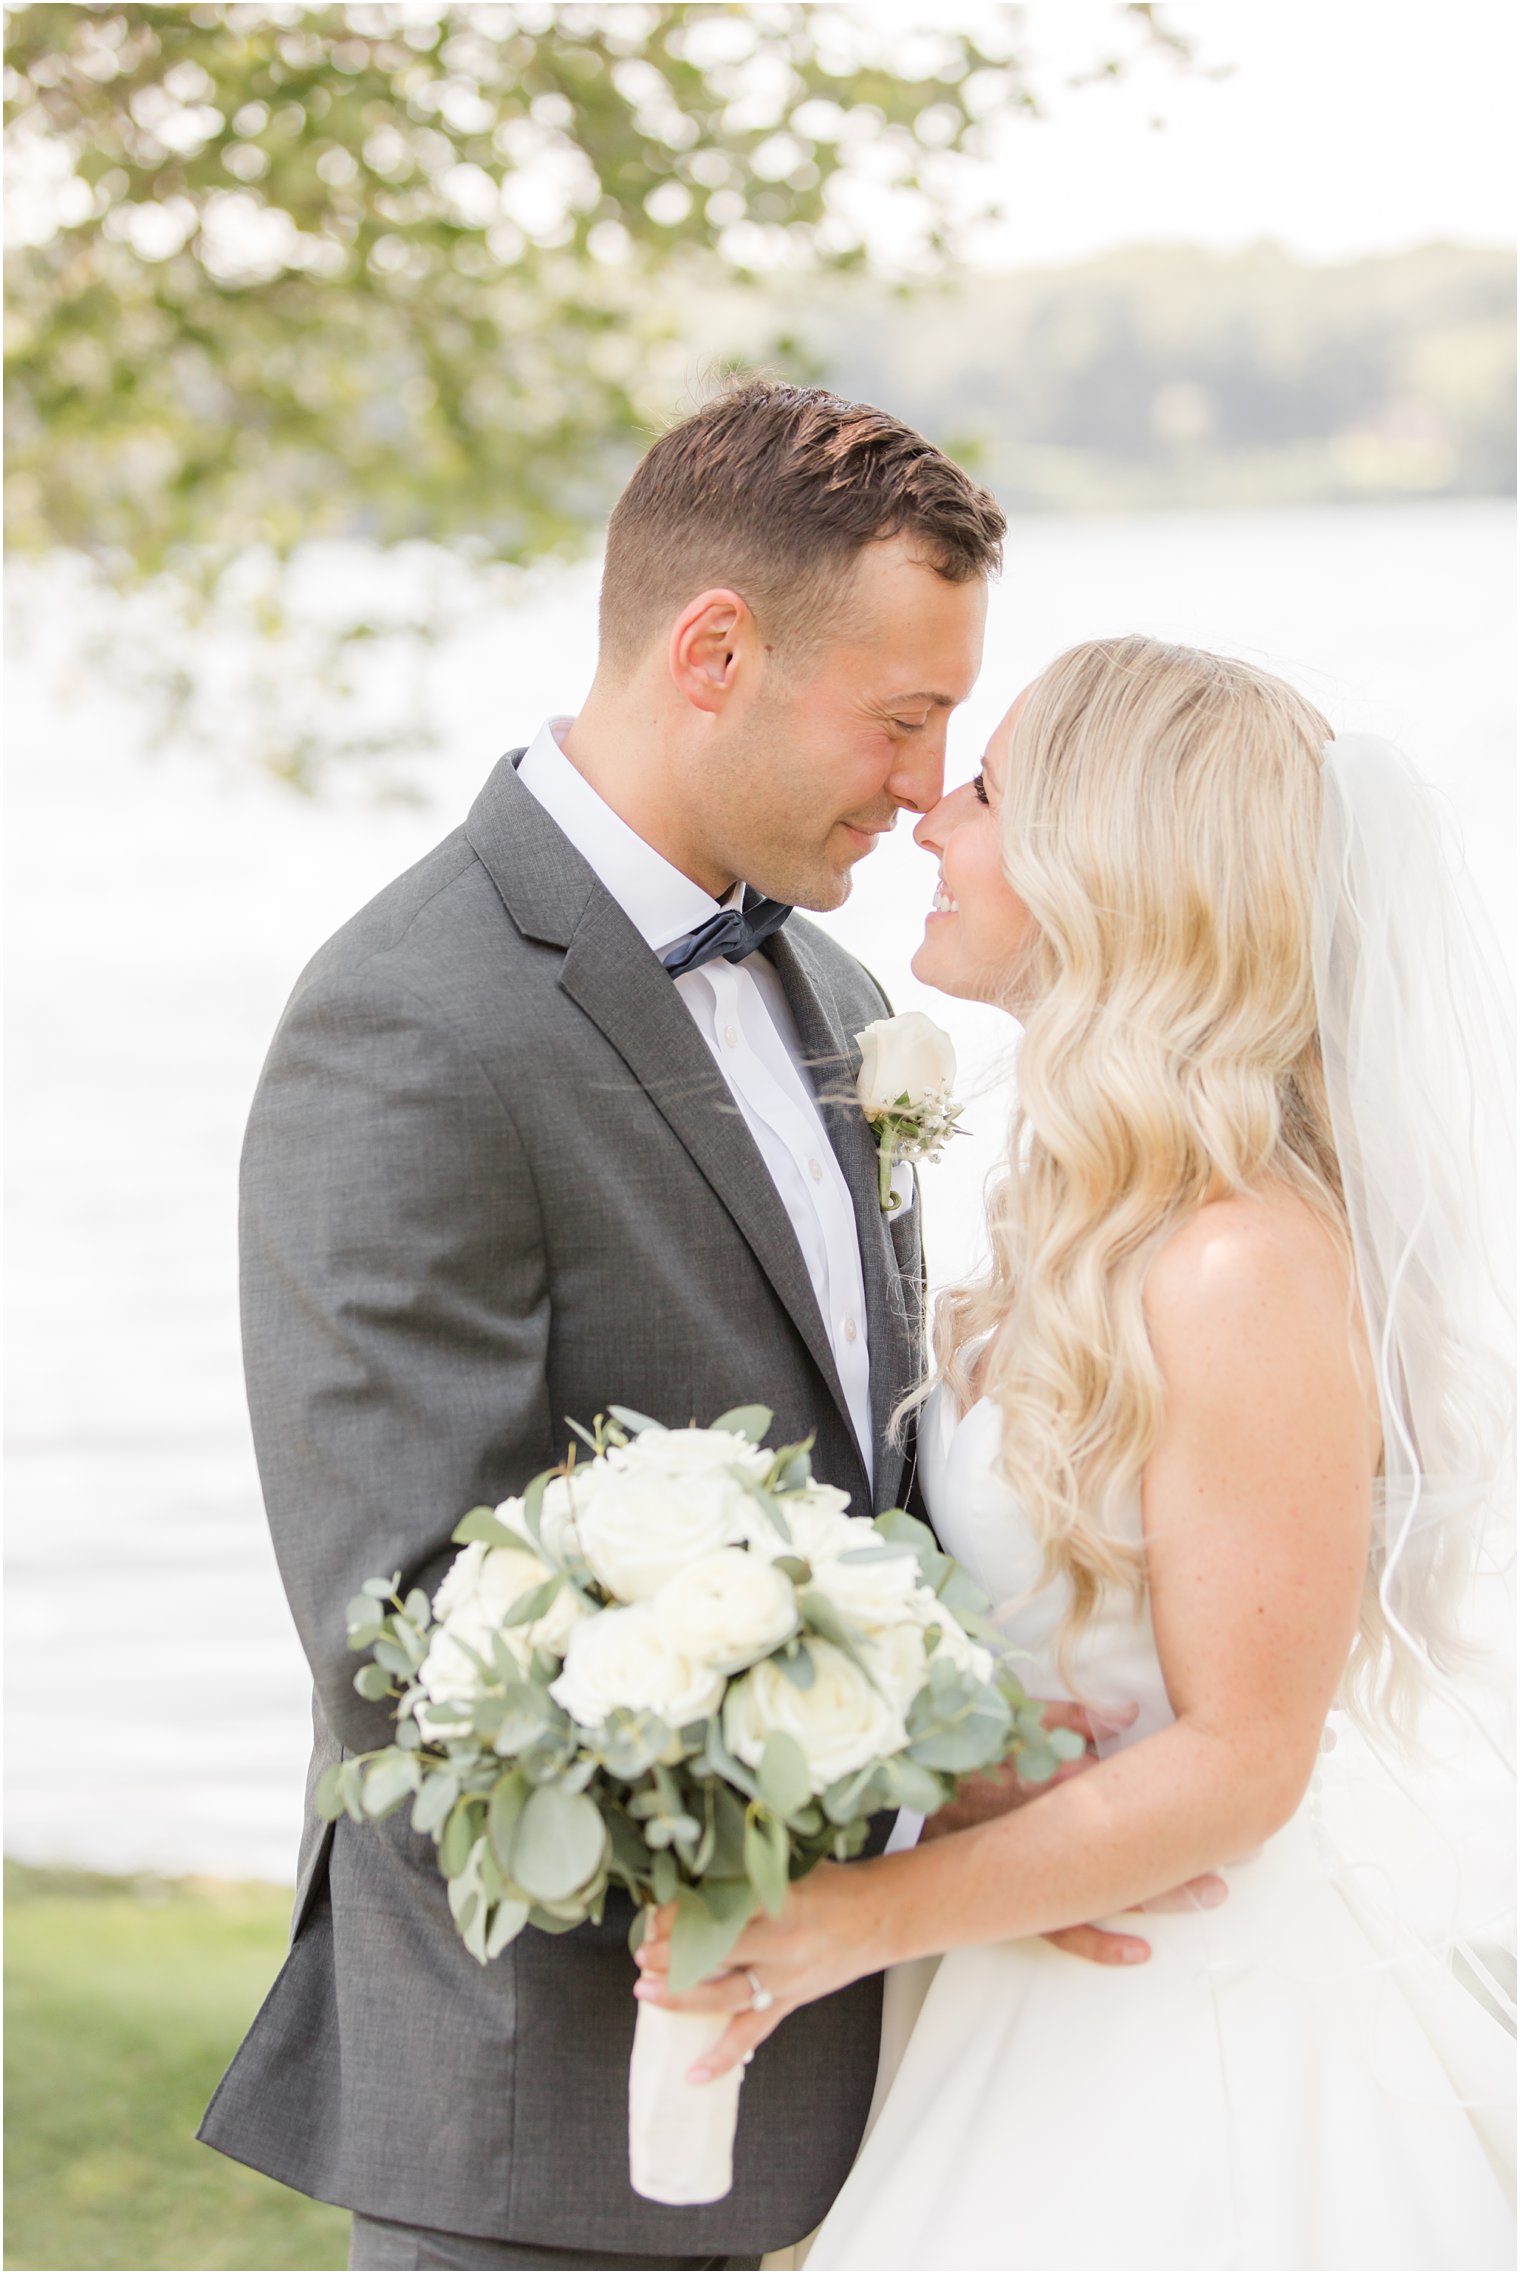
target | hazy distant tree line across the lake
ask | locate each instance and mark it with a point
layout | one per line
(1168, 376)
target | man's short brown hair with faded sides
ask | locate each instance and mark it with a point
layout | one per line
(775, 490)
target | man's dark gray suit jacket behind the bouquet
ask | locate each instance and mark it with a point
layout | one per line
(495, 1179)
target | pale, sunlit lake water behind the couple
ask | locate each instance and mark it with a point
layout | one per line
(160, 913)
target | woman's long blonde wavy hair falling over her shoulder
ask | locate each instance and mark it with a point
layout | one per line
(1162, 822)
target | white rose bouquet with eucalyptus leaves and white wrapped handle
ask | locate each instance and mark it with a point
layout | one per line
(679, 1668)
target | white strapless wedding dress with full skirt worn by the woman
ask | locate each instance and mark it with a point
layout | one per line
(1264, 2093)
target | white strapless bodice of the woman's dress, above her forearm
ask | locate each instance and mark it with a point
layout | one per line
(982, 1525)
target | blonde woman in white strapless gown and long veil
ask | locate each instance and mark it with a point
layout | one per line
(1221, 1431)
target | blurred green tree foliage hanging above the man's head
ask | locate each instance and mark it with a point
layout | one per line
(415, 272)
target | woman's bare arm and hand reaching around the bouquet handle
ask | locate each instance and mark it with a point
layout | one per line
(1257, 1504)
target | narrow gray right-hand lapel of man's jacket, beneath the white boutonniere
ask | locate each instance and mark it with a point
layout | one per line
(893, 1295)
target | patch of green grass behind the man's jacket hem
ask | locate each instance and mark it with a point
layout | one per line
(124, 2005)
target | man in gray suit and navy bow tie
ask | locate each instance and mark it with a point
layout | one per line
(565, 1118)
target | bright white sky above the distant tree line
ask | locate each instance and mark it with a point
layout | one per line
(1346, 128)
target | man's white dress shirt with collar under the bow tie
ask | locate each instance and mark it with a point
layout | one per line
(743, 1015)
